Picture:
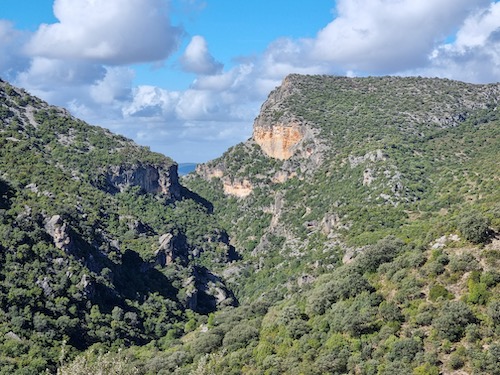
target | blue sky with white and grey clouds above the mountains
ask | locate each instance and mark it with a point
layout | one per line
(187, 77)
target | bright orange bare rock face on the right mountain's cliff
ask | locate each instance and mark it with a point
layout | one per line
(278, 141)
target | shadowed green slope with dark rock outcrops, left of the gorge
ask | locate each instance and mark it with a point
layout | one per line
(99, 243)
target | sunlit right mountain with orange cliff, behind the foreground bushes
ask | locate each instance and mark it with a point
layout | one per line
(337, 163)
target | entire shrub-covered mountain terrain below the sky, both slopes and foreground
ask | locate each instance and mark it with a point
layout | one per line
(355, 232)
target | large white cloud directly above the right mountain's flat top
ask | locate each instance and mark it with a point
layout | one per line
(384, 36)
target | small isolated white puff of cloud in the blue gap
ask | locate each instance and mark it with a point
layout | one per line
(197, 59)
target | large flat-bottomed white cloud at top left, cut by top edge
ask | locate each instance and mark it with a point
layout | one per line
(107, 31)
